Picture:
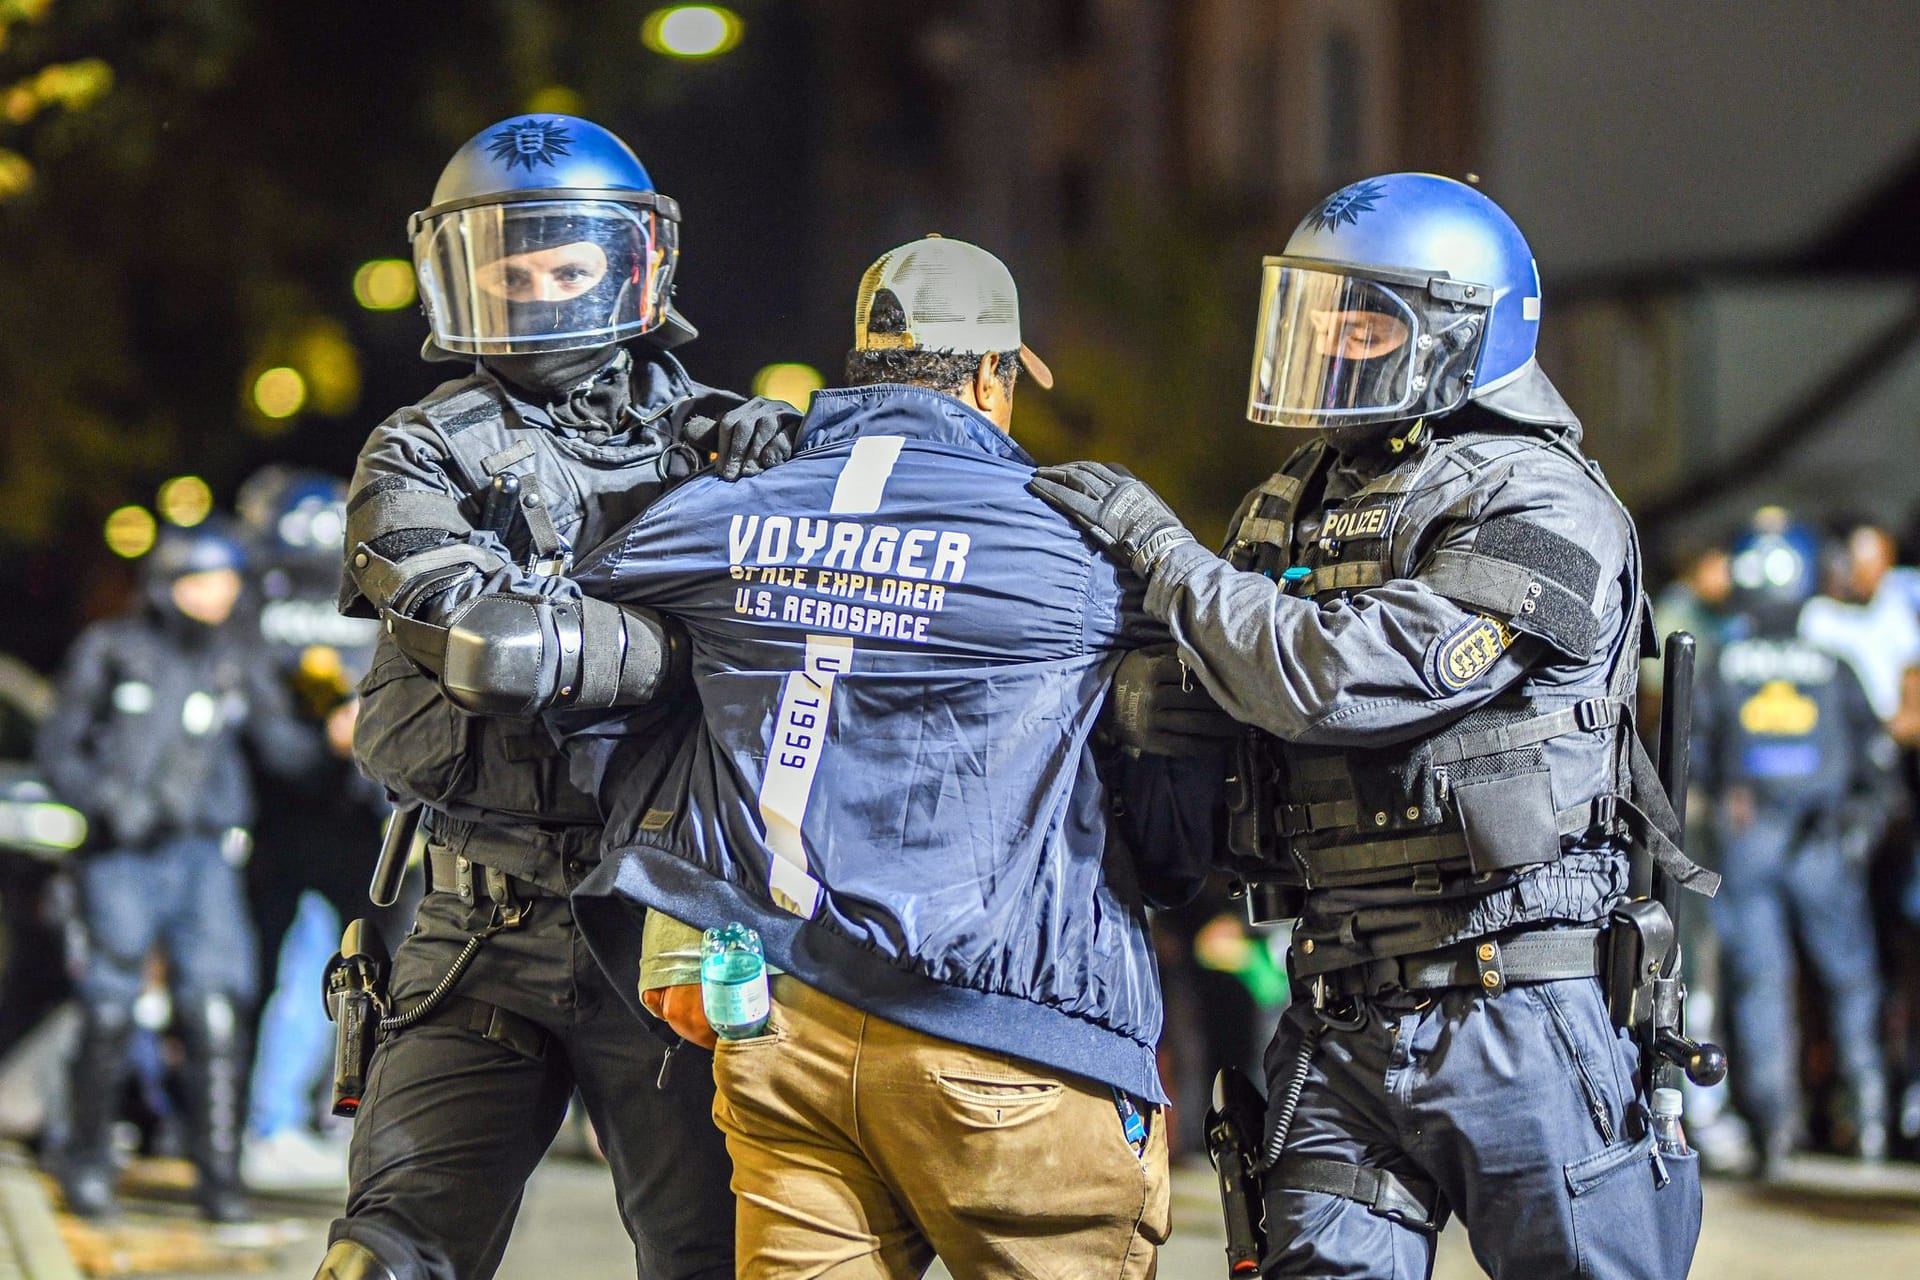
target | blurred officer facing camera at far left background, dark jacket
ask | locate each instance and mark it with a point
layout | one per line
(147, 740)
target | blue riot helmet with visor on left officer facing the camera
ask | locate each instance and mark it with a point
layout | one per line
(546, 235)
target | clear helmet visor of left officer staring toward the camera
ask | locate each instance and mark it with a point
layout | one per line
(544, 275)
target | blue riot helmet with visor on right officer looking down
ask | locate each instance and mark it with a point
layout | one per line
(1401, 298)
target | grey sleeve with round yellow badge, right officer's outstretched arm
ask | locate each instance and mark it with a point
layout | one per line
(1374, 667)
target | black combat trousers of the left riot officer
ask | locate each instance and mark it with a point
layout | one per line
(452, 1124)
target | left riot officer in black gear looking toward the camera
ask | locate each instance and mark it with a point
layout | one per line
(546, 260)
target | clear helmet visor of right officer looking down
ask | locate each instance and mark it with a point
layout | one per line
(1341, 350)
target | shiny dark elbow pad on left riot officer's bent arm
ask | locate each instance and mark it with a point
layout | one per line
(514, 655)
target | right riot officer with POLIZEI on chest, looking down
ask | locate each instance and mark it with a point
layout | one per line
(1431, 623)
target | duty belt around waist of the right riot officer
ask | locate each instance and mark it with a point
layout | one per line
(1483, 964)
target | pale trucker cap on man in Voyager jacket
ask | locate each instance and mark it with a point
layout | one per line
(957, 296)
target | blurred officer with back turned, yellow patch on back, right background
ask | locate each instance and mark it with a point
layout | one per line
(1804, 782)
